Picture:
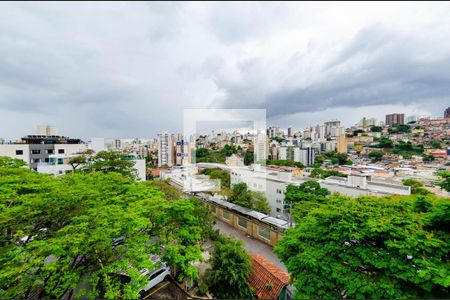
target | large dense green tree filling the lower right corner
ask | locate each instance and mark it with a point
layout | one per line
(368, 247)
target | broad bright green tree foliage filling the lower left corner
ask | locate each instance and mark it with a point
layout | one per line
(78, 231)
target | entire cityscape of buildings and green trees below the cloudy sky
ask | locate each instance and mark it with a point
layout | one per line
(326, 212)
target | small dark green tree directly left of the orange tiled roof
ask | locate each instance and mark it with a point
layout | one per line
(230, 270)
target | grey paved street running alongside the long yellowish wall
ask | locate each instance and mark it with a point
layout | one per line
(252, 245)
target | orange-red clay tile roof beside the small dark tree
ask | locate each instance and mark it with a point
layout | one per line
(267, 279)
